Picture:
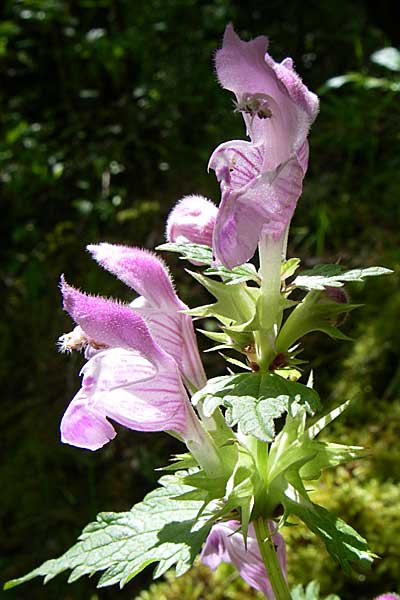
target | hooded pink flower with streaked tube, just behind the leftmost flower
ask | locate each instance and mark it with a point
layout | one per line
(158, 304)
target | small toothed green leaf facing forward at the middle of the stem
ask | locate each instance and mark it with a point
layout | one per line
(254, 400)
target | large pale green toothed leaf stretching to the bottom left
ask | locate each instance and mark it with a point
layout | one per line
(158, 529)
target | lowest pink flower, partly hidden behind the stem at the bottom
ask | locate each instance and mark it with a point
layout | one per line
(225, 543)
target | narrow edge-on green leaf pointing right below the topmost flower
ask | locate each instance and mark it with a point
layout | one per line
(334, 276)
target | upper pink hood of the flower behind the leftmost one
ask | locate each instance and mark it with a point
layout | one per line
(141, 270)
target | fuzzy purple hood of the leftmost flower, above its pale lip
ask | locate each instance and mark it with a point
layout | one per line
(109, 322)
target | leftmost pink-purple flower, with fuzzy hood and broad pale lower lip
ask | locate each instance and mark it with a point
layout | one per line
(133, 381)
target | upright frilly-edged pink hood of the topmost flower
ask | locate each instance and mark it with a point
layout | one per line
(245, 69)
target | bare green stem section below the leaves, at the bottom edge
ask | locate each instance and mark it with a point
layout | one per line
(272, 566)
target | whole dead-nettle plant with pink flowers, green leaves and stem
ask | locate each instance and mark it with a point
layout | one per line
(244, 474)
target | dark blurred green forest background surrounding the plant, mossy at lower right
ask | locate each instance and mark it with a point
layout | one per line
(109, 110)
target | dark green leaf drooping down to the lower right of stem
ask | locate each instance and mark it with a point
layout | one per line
(343, 543)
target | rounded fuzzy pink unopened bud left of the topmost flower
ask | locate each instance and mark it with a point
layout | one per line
(192, 221)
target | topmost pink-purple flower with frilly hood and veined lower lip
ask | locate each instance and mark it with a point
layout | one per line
(261, 180)
